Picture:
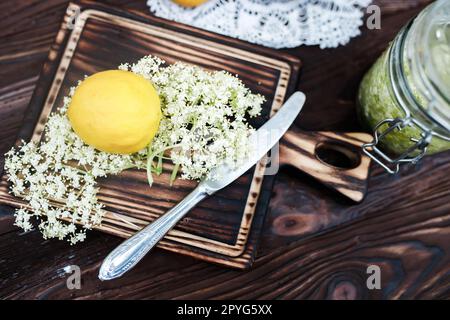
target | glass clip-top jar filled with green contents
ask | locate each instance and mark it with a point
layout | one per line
(405, 97)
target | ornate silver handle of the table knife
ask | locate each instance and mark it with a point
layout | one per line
(132, 250)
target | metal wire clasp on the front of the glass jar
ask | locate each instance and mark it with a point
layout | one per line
(412, 155)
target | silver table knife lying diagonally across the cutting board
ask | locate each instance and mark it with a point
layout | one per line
(132, 250)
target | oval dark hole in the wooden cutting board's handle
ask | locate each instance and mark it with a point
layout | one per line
(338, 155)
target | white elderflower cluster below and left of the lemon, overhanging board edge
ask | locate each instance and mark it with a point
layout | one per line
(58, 180)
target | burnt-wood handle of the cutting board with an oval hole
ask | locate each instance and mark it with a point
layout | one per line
(335, 159)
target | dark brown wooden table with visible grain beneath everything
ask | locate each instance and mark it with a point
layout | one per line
(403, 225)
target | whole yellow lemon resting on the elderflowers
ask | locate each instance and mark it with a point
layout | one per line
(115, 111)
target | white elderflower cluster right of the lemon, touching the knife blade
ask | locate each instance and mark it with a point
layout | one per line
(204, 116)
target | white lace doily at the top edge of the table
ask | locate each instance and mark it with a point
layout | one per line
(273, 23)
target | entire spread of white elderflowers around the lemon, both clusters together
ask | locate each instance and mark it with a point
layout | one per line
(203, 125)
